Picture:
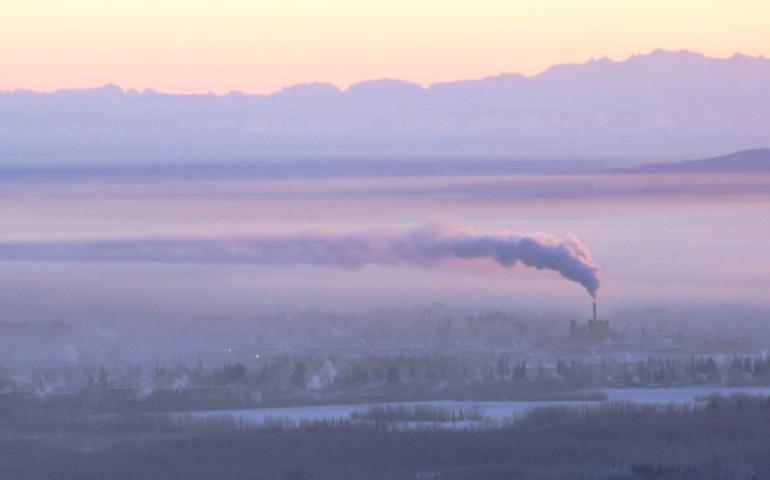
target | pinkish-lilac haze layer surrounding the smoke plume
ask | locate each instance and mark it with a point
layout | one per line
(654, 247)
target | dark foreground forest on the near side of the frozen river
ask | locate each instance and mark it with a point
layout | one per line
(719, 438)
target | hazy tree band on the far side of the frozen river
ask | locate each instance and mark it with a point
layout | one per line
(332, 379)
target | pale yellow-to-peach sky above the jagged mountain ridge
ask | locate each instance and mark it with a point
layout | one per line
(196, 46)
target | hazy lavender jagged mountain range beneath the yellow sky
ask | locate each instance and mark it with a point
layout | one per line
(659, 106)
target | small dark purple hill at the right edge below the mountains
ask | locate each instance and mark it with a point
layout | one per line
(756, 160)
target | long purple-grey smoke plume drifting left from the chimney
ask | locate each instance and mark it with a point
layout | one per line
(425, 247)
